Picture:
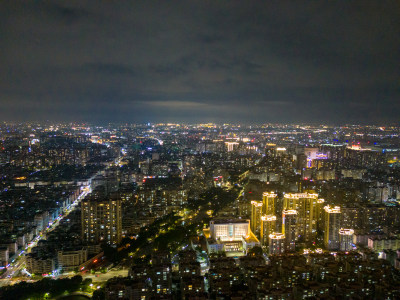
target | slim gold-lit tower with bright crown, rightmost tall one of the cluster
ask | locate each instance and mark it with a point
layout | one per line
(331, 228)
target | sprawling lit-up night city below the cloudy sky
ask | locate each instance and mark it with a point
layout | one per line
(205, 211)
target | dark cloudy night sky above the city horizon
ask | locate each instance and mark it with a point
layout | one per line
(200, 61)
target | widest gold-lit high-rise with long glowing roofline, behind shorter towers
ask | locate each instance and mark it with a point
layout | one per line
(306, 205)
